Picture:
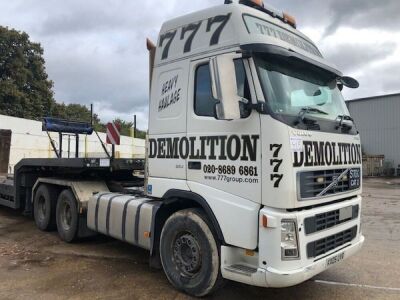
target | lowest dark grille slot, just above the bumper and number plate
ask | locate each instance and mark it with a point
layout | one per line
(331, 242)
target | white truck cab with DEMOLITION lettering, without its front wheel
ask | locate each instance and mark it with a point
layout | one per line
(247, 118)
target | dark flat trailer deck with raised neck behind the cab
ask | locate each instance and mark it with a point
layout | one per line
(16, 189)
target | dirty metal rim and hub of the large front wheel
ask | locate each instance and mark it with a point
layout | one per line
(186, 253)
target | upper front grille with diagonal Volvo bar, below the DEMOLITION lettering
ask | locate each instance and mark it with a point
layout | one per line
(313, 183)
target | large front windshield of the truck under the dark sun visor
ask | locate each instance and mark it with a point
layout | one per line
(293, 87)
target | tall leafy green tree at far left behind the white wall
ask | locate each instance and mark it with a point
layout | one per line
(25, 90)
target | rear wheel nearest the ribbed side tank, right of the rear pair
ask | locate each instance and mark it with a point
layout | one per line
(67, 216)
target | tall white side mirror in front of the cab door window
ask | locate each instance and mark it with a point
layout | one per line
(224, 88)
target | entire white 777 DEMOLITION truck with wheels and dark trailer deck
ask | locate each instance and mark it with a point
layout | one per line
(253, 164)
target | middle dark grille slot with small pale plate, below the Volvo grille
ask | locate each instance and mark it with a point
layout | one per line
(328, 219)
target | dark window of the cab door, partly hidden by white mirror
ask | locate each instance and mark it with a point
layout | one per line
(204, 102)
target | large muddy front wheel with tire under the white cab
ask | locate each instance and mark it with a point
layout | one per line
(189, 253)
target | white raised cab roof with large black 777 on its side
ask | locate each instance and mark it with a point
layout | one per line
(226, 26)
